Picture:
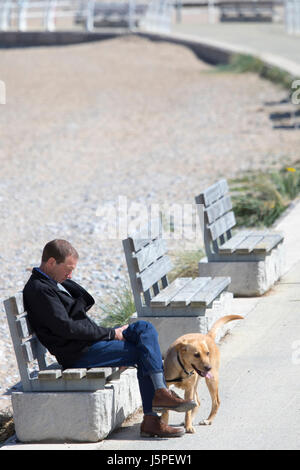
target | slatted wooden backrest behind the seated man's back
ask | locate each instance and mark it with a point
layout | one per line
(26, 345)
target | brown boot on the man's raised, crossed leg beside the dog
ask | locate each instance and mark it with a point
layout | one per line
(164, 399)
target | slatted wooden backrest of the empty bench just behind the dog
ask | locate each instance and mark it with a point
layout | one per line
(147, 262)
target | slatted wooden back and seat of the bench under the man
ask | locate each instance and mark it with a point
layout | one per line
(47, 377)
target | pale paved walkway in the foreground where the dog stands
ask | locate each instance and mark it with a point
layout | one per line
(259, 376)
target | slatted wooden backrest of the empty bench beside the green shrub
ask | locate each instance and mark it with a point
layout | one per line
(216, 216)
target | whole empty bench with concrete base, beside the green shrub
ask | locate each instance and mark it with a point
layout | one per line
(254, 259)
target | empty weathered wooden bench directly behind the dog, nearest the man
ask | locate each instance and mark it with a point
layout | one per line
(183, 306)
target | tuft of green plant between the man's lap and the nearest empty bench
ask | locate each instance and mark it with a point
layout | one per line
(119, 312)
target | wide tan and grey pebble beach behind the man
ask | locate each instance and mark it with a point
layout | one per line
(88, 123)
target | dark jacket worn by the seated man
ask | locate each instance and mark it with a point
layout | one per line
(60, 320)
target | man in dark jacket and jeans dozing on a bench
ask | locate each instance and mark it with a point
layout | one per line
(57, 307)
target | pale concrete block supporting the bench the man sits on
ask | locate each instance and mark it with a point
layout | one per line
(75, 416)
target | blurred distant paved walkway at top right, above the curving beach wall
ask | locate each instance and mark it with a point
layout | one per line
(266, 40)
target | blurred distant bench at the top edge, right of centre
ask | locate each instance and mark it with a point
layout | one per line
(246, 10)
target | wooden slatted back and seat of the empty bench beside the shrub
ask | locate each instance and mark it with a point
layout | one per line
(217, 221)
